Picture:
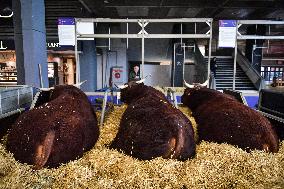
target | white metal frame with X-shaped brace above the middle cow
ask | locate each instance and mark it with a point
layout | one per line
(145, 33)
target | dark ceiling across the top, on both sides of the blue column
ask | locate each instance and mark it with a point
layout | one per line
(217, 9)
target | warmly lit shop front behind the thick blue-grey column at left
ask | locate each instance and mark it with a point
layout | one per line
(61, 63)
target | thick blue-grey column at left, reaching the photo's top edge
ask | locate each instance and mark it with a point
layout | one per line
(30, 42)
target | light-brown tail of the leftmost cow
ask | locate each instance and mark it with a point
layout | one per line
(43, 150)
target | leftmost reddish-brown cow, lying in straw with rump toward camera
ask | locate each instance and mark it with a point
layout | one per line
(57, 131)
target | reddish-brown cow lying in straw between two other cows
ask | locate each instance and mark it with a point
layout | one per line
(151, 127)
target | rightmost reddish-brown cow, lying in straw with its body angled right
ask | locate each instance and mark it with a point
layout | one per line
(223, 119)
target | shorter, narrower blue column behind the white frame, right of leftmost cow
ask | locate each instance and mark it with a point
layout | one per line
(88, 66)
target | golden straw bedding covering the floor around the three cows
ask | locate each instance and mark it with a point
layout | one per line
(214, 166)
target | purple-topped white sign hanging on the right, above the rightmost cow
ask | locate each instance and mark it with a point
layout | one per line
(227, 33)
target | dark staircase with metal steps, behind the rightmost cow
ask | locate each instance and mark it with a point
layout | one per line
(224, 76)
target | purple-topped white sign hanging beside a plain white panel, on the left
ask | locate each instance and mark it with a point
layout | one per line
(66, 31)
